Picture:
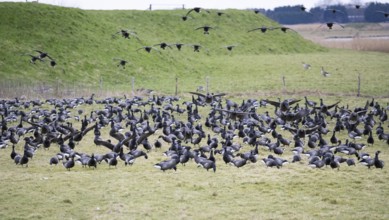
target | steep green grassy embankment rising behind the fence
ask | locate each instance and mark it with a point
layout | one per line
(81, 43)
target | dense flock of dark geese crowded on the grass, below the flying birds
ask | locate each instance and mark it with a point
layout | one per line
(209, 130)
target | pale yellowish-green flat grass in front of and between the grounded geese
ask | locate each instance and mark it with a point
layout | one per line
(140, 191)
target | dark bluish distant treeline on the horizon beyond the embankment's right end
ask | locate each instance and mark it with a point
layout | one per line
(372, 12)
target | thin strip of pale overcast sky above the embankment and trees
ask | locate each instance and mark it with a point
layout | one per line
(210, 4)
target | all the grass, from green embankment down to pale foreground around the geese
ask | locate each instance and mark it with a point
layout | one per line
(254, 70)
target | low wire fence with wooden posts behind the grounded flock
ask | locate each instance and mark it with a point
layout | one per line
(178, 86)
